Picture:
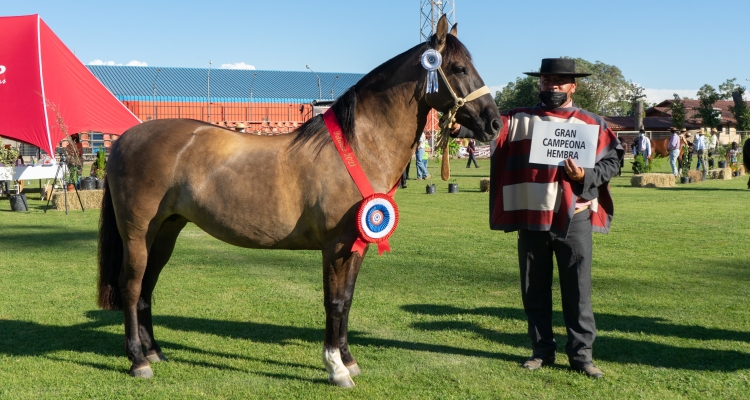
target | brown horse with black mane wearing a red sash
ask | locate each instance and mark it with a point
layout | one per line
(163, 174)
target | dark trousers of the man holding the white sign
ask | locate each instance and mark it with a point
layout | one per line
(573, 254)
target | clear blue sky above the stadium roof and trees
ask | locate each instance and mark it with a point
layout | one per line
(667, 45)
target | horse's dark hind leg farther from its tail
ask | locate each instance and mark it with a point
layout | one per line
(159, 254)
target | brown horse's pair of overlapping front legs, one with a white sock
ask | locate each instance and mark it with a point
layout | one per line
(340, 269)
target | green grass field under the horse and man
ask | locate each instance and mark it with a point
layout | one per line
(440, 317)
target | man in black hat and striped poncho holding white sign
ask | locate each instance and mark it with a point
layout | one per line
(554, 209)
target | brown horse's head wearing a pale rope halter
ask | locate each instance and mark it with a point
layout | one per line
(460, 83)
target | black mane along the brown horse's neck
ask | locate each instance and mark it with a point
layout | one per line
(315, 129)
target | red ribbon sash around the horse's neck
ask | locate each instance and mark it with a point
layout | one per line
(355, 170)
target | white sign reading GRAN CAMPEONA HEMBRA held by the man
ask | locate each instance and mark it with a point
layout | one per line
(554, 142)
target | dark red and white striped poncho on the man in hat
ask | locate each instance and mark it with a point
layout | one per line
(541, 197)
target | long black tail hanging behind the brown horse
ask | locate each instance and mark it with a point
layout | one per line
(110, 255)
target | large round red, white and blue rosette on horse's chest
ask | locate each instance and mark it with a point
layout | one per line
(377, 218)
